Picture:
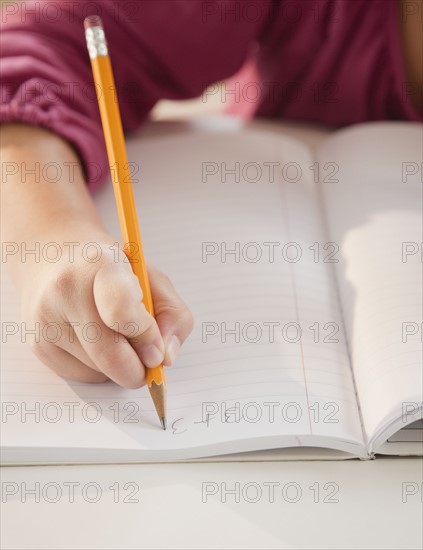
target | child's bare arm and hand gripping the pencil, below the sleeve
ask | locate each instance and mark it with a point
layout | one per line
(76, 292)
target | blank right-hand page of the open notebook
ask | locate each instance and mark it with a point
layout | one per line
(374, 213)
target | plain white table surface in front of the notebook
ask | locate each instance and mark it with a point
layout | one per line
(250, 505)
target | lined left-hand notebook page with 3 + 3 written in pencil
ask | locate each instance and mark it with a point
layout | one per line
(253, 370)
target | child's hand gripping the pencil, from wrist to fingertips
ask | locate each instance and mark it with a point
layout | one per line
(92, 322)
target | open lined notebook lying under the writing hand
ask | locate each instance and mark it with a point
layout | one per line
(303, 270)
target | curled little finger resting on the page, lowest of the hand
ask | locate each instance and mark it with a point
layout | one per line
(66, 365)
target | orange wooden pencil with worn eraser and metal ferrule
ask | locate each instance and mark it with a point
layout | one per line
(121, 177)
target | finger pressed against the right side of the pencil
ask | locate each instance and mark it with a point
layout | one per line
(173, 317)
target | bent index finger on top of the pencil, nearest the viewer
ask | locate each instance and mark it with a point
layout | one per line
(117, 295)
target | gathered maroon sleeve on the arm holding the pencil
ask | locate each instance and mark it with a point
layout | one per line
(159, 49)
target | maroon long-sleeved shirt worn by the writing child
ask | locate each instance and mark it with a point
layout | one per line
(333, 62)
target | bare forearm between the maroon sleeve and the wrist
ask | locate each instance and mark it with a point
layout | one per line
(41, 204)
